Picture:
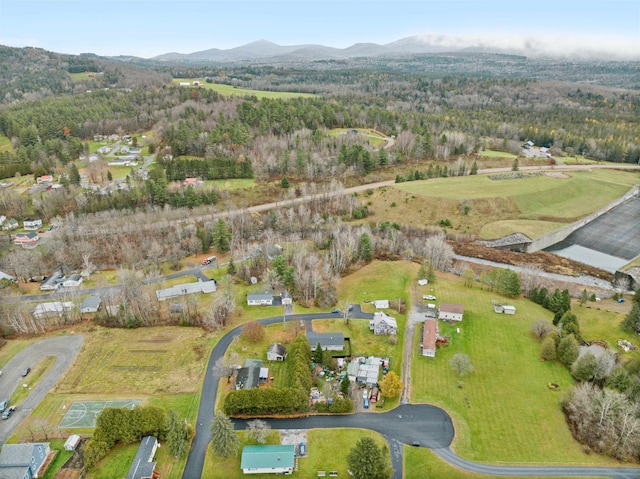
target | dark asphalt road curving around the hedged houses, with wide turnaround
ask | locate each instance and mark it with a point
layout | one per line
(429, 425)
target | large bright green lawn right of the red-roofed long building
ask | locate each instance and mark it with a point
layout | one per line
(504, 411)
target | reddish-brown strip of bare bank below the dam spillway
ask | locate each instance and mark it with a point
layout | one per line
(546, 261)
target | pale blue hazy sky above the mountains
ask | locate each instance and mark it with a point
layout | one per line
(148, 28)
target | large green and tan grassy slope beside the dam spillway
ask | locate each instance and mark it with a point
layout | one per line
(535, 204)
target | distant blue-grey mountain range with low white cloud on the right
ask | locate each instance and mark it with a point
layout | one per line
(559, 47)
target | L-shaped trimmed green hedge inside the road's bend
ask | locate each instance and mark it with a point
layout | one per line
(293, 399)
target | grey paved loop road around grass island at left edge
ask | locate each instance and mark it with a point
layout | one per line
(64, 348)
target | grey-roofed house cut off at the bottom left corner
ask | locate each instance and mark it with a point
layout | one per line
(23, 461)
